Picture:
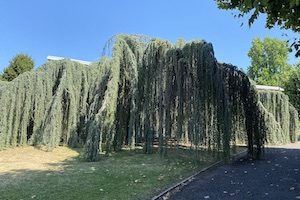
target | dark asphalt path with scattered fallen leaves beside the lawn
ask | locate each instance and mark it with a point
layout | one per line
(277, 177)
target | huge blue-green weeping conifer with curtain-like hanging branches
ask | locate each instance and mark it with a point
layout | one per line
(145, 92)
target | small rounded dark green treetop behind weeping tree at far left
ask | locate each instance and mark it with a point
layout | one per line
(18, 65)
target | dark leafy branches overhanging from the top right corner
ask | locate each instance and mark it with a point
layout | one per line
(284, 13)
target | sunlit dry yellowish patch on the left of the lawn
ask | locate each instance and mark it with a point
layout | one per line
(13, 161)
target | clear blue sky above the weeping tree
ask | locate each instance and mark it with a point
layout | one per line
(79, 28)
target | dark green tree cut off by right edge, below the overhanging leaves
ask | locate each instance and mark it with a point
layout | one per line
(292, 87)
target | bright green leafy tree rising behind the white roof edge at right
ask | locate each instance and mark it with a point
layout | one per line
(269, 61)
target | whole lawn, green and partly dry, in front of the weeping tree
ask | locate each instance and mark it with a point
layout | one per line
(30, 173)
